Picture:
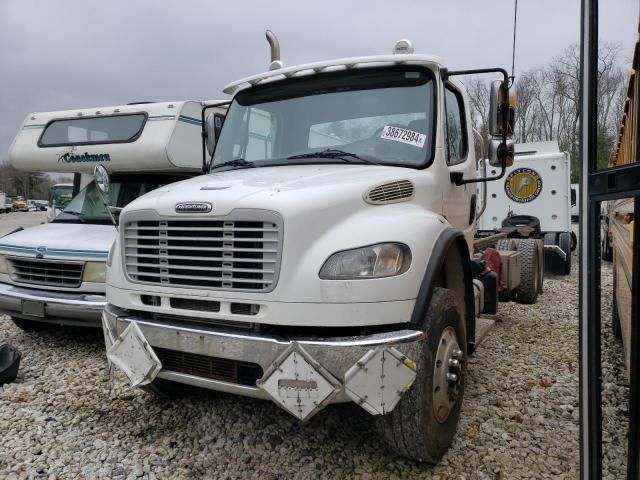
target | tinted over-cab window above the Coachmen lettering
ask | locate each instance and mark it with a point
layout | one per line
(93, 130)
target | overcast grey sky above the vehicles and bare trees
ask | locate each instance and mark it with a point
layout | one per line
(59, 55)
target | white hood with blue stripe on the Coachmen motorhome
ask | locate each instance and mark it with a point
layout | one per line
(61, 240)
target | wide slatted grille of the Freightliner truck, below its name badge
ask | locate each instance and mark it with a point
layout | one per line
(227, 254)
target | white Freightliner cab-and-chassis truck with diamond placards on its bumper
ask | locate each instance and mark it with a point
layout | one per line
(328, 256)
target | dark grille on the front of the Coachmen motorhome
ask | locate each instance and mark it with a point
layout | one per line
(52, 273)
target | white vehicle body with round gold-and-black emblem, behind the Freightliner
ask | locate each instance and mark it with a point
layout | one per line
(534, 194)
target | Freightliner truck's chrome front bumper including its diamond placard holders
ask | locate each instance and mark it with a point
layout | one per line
(356, 368)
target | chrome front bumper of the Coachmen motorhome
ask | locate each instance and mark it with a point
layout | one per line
(78, 309)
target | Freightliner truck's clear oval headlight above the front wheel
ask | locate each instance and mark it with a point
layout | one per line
(375, 261)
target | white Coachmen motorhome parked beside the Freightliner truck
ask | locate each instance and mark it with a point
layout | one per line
(55, 272)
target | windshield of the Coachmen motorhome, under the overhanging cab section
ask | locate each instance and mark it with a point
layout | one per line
(87, 206)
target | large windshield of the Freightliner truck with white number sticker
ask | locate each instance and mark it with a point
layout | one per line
(364, 116)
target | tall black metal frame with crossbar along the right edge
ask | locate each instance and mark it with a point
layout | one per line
(617, 182)
